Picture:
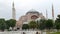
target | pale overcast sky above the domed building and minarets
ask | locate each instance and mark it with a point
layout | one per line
(23, 6)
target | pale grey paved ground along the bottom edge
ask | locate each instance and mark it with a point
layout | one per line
(20, 32)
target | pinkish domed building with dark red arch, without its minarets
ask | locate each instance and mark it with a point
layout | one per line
(30, 15)
